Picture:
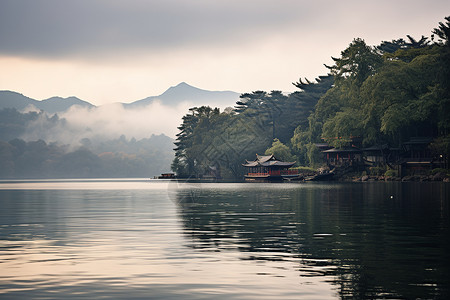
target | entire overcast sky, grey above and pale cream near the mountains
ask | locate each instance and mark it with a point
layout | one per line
(120, 51)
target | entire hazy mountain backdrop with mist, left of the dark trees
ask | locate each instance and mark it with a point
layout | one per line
(71, 138)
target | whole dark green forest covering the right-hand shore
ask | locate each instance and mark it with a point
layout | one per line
(373, 95)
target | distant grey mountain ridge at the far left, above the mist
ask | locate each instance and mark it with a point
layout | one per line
(9, 99)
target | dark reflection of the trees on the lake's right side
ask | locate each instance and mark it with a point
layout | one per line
(373, 245)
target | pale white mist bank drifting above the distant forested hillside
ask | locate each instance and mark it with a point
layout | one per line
(107, 122)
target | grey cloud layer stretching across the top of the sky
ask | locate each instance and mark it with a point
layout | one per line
(104, 29)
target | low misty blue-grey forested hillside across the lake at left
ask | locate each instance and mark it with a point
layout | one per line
(85, 158)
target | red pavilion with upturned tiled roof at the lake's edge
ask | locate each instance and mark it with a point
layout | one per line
(268, 168)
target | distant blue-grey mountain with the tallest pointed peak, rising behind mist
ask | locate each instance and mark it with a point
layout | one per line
(184, 92)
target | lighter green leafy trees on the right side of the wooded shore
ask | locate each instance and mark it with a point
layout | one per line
(383, 95)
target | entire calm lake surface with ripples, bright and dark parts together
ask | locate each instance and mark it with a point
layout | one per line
(142, 239)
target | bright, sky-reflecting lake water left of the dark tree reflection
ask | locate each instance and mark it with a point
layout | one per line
(124, 244)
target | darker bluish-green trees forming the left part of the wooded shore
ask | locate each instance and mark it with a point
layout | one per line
(210, 140)
